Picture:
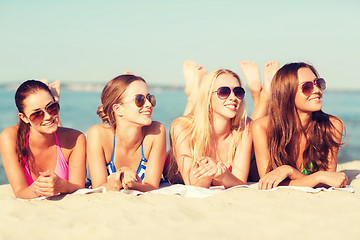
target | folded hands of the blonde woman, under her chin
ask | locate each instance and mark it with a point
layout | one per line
(210, 168)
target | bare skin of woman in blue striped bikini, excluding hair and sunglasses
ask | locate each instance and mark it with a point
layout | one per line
(133, 126)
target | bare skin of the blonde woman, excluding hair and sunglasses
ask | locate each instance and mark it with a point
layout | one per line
(213, 169)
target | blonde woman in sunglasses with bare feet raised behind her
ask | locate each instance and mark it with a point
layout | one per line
(212, 143)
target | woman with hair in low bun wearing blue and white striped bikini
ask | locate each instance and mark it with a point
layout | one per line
(128, 149)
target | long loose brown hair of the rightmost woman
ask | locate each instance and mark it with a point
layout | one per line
(285, 126)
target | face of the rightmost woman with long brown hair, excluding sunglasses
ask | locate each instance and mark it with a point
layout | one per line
(312, 101)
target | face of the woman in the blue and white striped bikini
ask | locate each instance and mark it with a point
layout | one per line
(130, 111)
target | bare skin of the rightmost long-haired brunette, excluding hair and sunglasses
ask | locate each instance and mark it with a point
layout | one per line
(305, 104)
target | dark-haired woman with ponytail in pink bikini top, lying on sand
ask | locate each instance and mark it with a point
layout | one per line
(40, 158)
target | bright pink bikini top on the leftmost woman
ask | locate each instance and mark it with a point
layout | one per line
(62, 167)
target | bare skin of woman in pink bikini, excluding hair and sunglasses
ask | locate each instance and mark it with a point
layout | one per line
(43, 147)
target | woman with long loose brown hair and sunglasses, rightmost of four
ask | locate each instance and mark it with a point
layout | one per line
(297, 144)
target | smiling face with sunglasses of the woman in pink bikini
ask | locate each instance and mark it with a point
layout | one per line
(39, 111)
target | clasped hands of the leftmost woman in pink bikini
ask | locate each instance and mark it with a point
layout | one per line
(48, 184)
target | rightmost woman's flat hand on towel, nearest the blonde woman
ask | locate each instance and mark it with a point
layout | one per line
(275, 177)
